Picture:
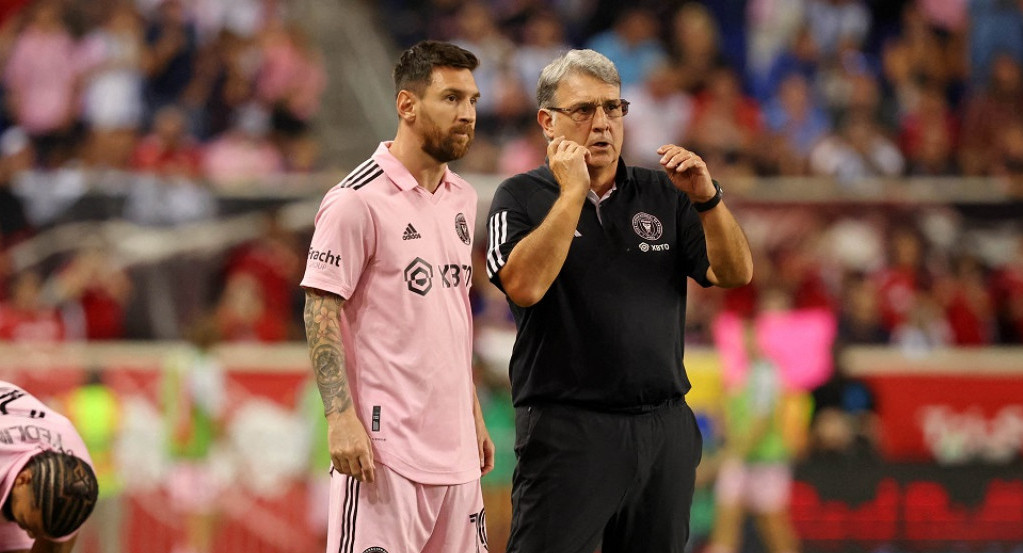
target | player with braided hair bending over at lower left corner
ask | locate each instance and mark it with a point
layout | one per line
(48, 485)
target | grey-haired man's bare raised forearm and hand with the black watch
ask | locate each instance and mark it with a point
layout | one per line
(728, 249)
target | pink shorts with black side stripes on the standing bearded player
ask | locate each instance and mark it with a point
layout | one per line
(397, 516)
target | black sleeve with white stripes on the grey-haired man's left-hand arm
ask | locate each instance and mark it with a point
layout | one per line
(508, 223)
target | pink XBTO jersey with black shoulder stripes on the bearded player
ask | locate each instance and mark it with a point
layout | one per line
(403, 259)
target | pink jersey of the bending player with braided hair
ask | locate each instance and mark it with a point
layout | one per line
(29, 428)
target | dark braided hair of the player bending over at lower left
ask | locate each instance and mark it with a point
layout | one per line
(66, 491)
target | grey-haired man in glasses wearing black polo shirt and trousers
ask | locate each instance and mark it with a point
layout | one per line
(594, 257)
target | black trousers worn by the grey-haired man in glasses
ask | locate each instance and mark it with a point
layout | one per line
(587, 480)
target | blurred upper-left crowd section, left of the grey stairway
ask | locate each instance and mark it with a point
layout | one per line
(190, 89)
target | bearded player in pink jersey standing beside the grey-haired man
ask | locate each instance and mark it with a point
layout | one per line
(389, 327)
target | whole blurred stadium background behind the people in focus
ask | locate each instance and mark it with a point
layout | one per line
(162, 161)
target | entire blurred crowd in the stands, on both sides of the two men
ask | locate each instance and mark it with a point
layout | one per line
(190, 90)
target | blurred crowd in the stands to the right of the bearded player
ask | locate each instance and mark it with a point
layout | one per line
(852, 90)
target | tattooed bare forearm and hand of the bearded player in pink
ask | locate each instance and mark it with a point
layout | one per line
(351, 451)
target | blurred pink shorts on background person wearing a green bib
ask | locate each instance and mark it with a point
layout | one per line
(763, 488)
